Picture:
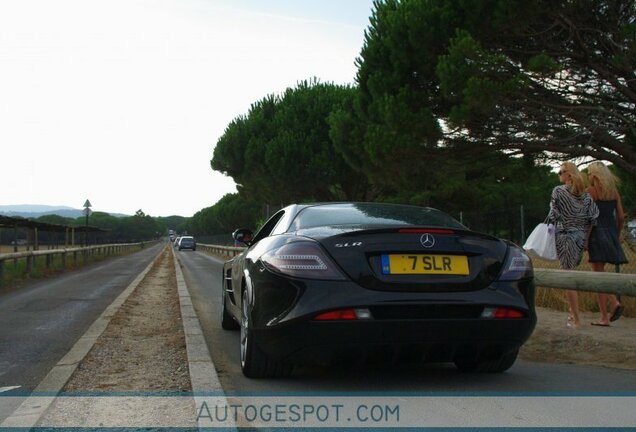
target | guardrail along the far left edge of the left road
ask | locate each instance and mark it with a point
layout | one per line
(85, 252)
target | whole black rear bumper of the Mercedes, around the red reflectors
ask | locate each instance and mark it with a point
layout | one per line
(413, 326)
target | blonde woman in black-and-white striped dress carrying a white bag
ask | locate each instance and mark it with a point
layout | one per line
(573, 212)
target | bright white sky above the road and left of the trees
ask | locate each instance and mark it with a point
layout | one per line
(121, 102)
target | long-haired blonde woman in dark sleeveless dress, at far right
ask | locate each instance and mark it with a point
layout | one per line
(604, 244)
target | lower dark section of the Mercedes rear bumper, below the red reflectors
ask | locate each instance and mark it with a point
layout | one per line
(417, 341)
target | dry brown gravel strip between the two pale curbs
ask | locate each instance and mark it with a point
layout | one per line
(143, 347)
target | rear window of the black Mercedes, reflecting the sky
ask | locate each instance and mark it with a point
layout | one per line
(372, 214)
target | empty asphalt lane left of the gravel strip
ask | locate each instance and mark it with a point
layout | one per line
(40, 322)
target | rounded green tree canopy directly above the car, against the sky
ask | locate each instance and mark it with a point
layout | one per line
(281, 151)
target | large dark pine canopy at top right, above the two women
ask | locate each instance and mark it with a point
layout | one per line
(549, 78)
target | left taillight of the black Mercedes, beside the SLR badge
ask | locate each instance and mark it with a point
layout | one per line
(302, 259)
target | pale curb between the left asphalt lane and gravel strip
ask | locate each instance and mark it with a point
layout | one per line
(29, 412)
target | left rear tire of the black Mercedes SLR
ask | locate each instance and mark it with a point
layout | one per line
(255, 363)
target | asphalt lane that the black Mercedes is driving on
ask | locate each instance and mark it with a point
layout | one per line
(203, 276)
